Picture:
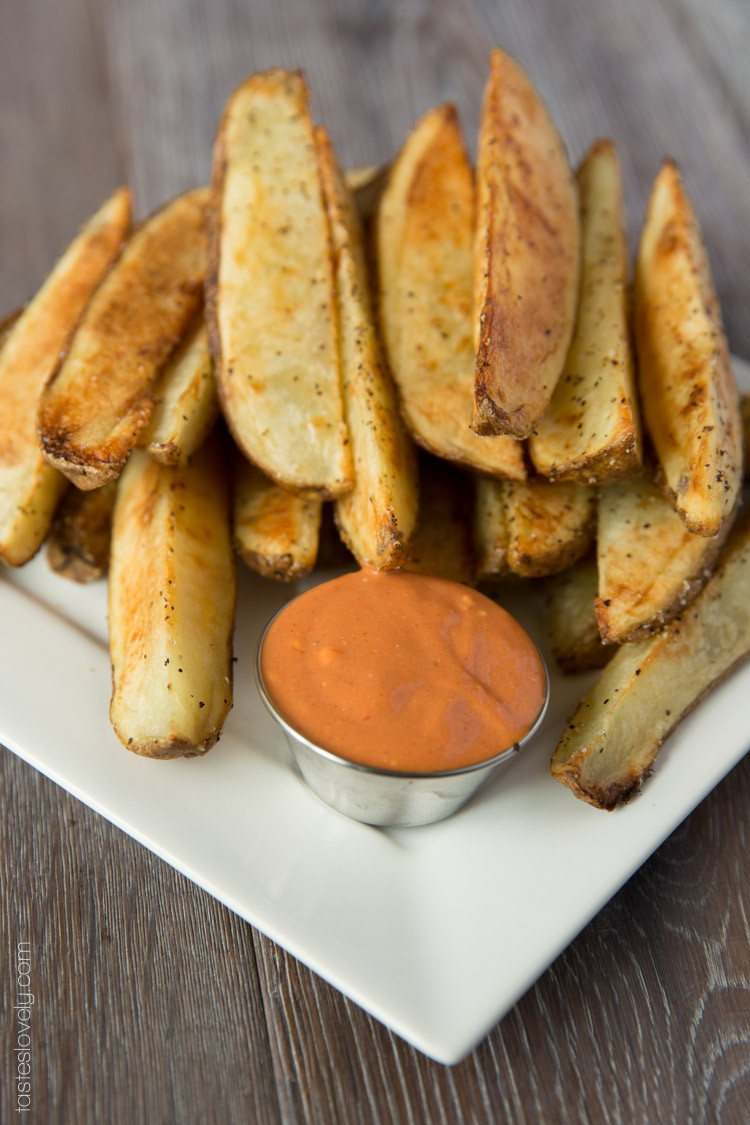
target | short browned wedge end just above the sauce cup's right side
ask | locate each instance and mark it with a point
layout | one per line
(550, 526)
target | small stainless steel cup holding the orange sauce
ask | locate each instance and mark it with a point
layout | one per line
(383, 797)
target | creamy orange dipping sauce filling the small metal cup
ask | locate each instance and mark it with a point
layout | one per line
(403, 672)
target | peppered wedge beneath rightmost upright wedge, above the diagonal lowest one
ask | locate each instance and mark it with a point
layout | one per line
(650, 565)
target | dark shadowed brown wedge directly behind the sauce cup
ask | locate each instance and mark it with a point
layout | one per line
(441, 545)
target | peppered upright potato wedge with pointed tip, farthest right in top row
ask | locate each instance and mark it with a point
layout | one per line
(690, 399)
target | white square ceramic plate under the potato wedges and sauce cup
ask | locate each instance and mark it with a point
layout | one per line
(436, 931)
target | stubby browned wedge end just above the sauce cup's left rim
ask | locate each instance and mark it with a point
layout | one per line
(275, 532)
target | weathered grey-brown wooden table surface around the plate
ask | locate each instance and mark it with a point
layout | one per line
(155, 1003)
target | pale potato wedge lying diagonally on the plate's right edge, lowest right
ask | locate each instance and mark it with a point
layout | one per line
(611, 744)
